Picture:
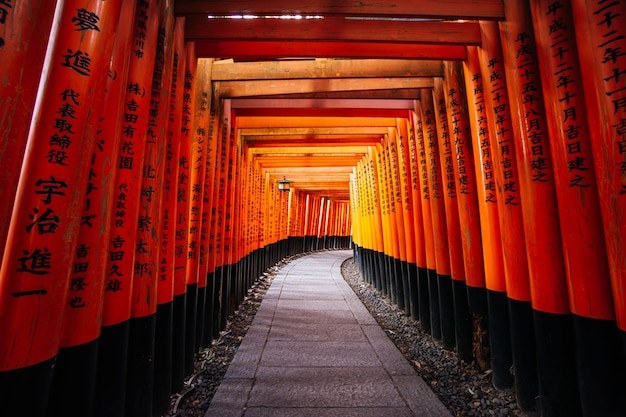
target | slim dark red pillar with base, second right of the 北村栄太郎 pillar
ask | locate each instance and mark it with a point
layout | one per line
(179, 351)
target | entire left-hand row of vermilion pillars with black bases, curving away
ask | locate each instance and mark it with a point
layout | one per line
(133, 220)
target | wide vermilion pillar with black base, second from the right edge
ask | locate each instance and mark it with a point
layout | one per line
(588, 272)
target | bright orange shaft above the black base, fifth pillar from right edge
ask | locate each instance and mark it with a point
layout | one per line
(485, 175)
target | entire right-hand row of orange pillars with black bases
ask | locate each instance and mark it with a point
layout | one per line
(495, 214)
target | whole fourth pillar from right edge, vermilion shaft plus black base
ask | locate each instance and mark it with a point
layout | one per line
(510, 215)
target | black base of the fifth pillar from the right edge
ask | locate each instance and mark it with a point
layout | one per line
(500, 340)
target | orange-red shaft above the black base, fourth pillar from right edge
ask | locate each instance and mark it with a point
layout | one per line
(504, 163)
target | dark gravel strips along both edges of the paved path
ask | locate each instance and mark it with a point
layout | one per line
(462, 387)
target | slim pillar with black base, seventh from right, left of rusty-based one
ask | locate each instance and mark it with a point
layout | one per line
(462, 317)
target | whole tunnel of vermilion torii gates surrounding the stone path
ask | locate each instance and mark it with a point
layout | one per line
(471, 153)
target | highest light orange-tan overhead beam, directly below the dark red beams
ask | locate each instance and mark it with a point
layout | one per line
(228, 70)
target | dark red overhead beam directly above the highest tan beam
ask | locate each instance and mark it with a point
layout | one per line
(268, 50)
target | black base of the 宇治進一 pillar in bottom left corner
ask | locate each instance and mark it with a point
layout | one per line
(25, 391)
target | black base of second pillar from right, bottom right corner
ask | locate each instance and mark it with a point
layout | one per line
(600, 365)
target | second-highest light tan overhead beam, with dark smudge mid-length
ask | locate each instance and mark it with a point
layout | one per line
(234, 89)
